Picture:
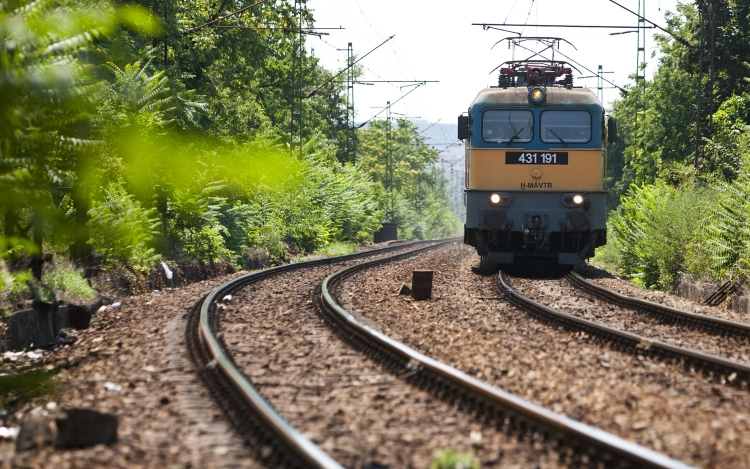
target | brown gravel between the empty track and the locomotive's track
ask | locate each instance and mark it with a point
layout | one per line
(652, 403)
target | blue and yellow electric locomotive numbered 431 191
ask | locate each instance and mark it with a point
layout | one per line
(536, 165)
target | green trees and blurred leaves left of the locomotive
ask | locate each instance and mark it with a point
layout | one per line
(128, 137)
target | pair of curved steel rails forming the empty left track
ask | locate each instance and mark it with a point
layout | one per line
(277, 443)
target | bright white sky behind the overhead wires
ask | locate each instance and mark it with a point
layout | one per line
(388, 64)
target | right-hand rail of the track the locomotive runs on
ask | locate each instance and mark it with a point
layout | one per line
(664, 312)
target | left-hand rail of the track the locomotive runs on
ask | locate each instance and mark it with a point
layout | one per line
(734, 372)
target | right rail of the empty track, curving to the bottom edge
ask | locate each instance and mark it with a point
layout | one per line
(508, 411)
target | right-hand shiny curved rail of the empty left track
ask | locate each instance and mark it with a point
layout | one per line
(609, 447)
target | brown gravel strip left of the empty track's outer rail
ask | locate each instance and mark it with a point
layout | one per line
(166, 418)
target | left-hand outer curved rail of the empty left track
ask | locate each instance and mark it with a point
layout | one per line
(306, 451)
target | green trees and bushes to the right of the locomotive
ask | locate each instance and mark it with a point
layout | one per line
(674, 217)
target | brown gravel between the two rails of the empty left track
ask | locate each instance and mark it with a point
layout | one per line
(347, 404)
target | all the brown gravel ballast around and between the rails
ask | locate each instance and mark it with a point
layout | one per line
(132, 363)
